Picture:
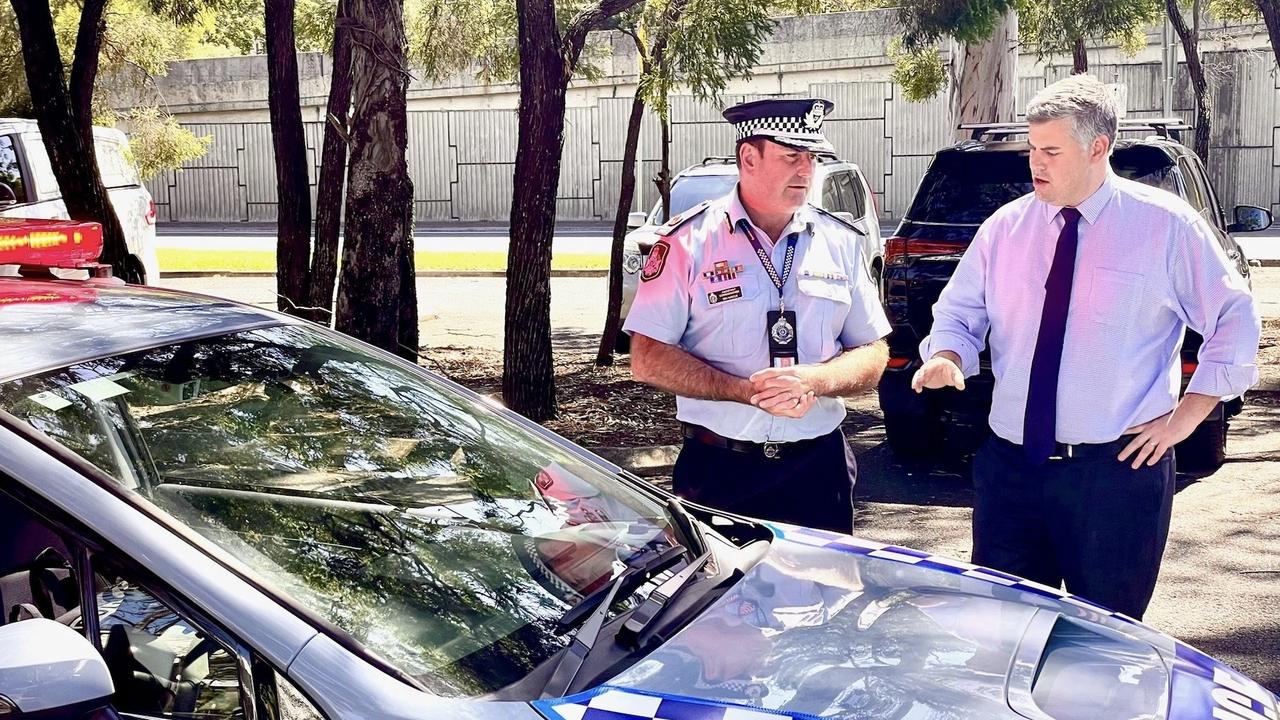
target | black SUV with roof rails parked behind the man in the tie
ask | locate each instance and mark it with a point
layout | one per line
(964, 185)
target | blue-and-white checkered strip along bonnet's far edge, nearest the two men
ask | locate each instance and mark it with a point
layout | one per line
(906, 555)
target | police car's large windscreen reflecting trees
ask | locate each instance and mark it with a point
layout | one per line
(437, 531)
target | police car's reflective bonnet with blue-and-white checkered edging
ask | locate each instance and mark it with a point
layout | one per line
(834, 627)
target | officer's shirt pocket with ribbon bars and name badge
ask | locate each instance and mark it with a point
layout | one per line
(735, 308)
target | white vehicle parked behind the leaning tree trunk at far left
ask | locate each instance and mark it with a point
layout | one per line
(30, 190)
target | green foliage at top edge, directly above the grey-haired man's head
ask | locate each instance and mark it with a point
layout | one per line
(1054, 26)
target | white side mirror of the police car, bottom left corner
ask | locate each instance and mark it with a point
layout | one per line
(48, 668)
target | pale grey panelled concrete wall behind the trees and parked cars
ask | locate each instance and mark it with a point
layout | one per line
(463, 135)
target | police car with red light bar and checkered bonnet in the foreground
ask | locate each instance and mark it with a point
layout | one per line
(211, 511)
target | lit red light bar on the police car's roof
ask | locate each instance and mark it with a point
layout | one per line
(49, 244)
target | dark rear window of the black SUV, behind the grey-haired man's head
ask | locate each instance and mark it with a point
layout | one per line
(967, 188)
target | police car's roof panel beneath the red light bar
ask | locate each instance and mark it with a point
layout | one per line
(51, 325)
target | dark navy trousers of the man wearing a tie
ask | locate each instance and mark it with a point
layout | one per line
(1092, 523)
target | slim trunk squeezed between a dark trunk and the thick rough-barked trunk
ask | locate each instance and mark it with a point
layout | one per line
(333, 175)
